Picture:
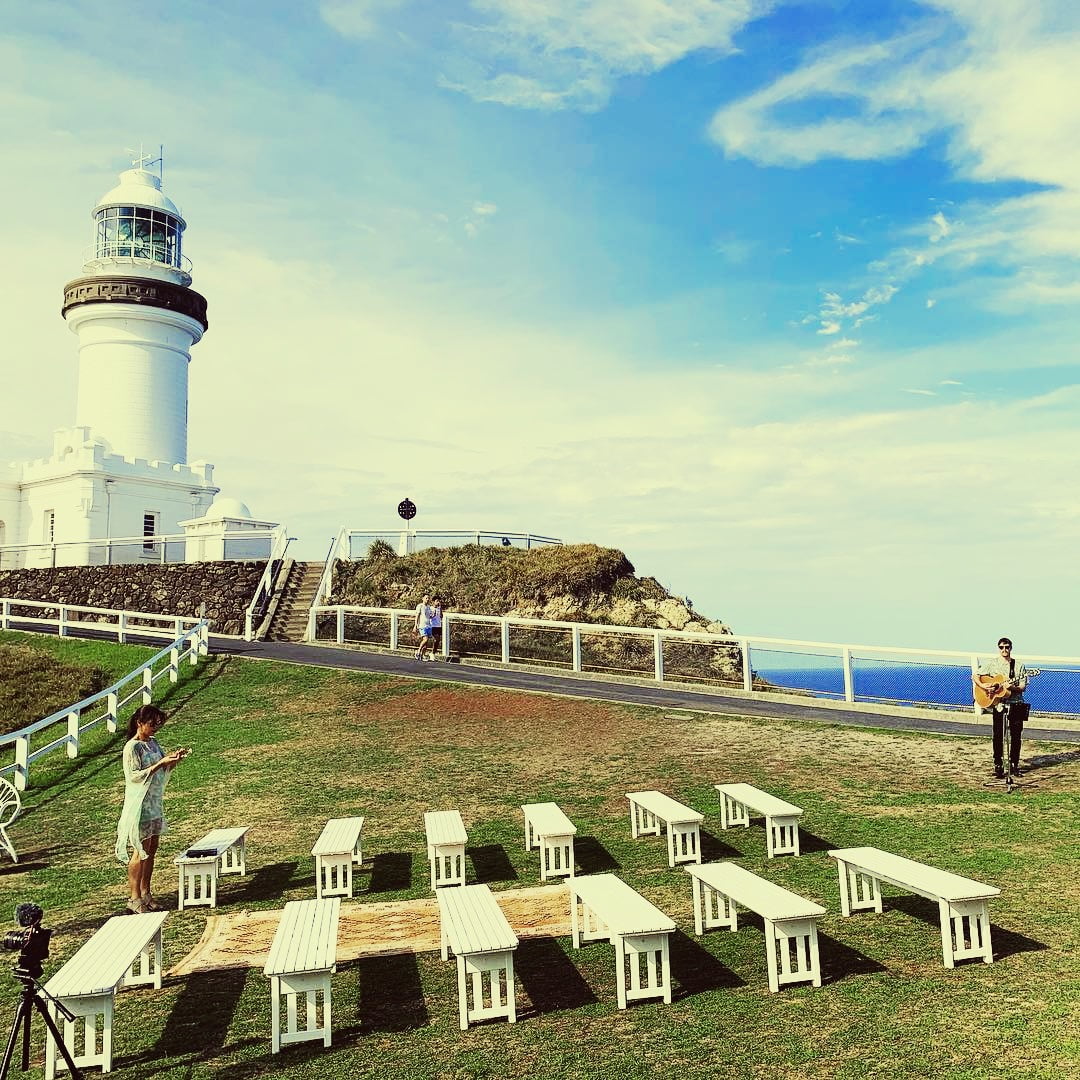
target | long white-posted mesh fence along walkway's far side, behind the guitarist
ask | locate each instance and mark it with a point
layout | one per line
(855, 674)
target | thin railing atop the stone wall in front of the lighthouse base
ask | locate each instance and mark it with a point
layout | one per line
(113, 551)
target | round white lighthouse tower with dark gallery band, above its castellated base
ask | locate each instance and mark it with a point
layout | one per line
(137, 318)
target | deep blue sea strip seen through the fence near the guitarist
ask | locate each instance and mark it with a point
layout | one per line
(1054, 692)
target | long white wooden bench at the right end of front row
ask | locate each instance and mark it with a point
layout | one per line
(963, 904)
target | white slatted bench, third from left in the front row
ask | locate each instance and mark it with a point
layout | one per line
(472, 926)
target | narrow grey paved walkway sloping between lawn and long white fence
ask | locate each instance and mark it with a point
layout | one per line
(665, 697)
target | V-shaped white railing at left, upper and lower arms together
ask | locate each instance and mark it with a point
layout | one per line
(191, 645)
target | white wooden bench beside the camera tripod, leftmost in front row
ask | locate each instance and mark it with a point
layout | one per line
(126, 952)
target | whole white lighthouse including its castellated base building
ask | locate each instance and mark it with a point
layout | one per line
(123, 471)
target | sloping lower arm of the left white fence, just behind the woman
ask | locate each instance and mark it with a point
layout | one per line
(194, 643)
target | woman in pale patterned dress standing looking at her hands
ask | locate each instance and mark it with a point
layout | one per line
(143, 820)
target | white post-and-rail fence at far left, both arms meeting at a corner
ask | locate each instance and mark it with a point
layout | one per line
(191, 644)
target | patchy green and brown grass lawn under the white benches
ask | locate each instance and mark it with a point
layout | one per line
(282, 749)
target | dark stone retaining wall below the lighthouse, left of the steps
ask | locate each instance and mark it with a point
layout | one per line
(171, 589)
